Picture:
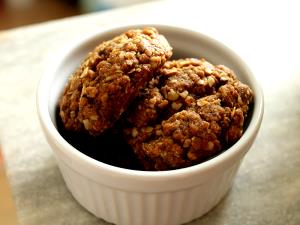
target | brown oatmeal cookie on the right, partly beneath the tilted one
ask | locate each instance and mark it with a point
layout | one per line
(191, 111)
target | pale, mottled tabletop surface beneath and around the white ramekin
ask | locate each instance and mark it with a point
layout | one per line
(264, 33)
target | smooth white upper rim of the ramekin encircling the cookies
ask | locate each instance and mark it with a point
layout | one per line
(77, 157)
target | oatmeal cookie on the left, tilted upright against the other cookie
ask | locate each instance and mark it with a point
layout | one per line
(109, 79)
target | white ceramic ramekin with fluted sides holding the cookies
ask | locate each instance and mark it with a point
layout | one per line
(130, 197)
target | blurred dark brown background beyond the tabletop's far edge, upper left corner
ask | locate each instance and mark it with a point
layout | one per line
(14, 13)
